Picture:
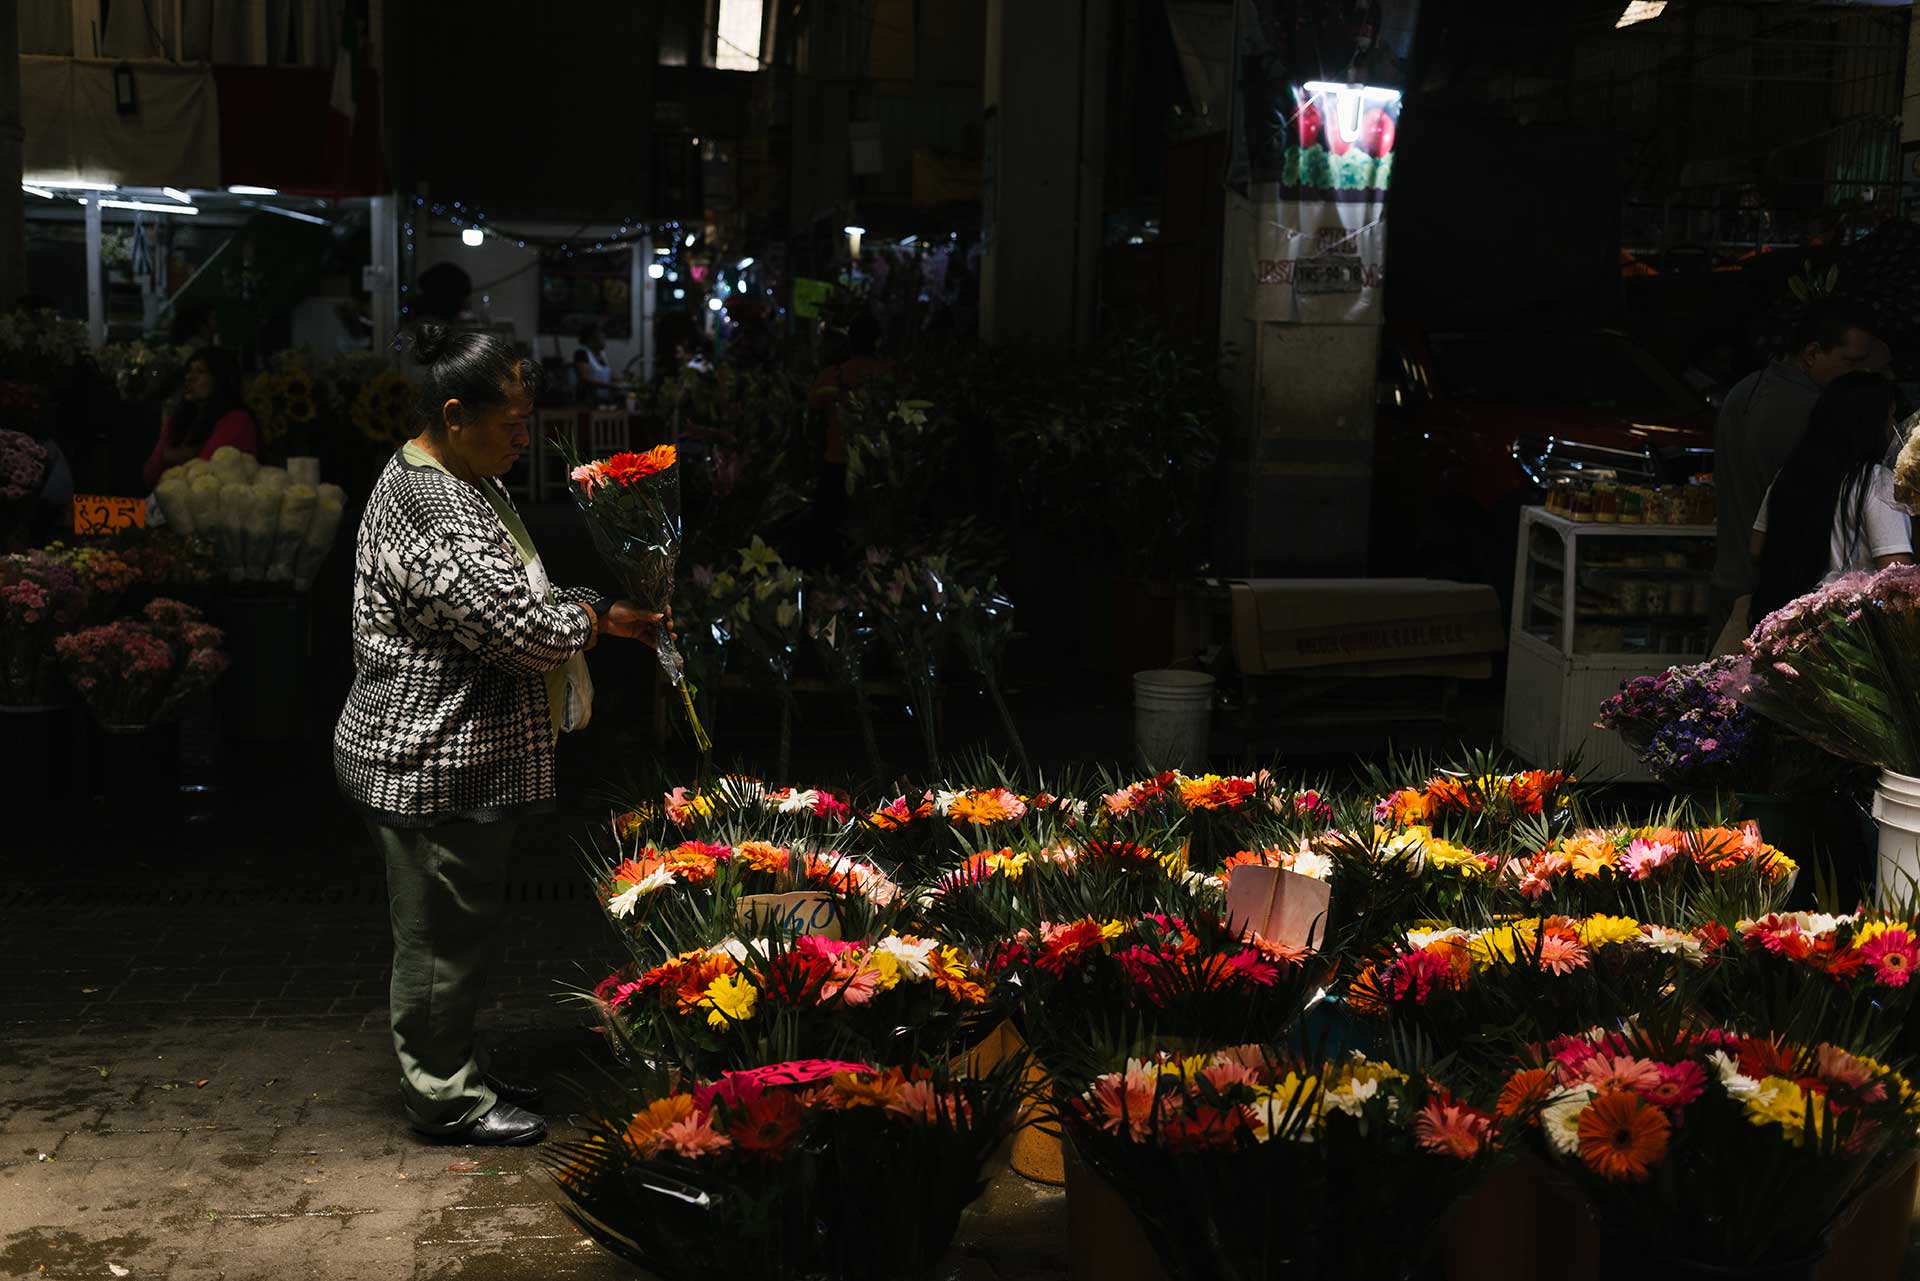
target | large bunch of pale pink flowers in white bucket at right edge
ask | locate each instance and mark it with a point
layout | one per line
(1838, 667)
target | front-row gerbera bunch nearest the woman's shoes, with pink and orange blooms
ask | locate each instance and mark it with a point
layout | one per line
(748, 1176)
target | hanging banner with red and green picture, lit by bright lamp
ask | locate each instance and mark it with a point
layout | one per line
(1314, 137)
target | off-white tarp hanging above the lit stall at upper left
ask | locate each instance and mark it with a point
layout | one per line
(76, 132)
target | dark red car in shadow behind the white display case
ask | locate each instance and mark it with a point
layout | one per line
(1472, 425)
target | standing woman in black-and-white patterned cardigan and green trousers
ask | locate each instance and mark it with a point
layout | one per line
(462, 654)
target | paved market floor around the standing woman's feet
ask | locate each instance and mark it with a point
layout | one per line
(197, 1084)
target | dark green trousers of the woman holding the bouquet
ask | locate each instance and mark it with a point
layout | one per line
(444, 886)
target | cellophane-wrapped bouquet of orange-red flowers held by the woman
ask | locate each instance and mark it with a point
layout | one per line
(633, 508)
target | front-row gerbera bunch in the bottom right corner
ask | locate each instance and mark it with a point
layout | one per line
(1712, 1153)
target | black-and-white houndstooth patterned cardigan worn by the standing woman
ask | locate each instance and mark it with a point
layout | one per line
(448, 713)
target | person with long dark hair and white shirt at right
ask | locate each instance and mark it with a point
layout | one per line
(1833, 506)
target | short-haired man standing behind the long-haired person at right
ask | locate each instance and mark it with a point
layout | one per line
(1764, 420)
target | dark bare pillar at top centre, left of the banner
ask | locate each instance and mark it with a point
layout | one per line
(1045, 97)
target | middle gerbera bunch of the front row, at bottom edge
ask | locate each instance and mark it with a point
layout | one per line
(1370, 1159)
